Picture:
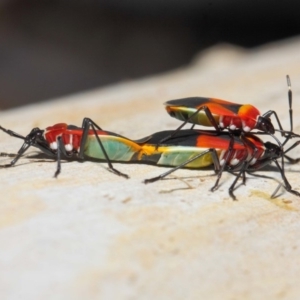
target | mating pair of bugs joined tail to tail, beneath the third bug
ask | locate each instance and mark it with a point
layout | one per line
(189, 148)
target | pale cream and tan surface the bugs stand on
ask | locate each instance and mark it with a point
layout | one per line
(92, 235)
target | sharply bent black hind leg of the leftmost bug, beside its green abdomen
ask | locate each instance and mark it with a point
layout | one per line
(88, 124)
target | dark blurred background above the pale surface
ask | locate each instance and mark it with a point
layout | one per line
(53, 48)
